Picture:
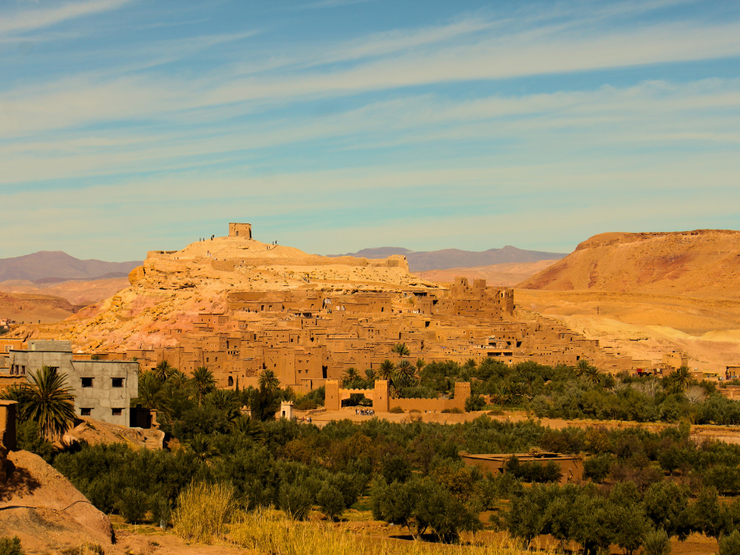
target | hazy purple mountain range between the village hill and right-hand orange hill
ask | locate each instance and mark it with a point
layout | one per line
(424, 261)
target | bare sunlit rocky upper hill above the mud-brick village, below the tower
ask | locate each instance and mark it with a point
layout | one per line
(172, 289)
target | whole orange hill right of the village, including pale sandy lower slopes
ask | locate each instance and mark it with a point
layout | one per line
(647, 294)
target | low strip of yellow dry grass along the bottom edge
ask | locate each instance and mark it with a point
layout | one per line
(271, 532)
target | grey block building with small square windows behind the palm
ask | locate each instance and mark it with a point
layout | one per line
(102, 389)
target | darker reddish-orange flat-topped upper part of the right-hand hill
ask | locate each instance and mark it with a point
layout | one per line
(701, 263)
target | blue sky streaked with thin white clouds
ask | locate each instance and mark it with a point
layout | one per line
(335, 125)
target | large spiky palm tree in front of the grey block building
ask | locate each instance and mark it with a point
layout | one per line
(50, 403)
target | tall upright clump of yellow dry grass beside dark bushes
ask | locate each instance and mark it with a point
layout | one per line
(203, 511)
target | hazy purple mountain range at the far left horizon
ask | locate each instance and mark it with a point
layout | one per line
(53, 266)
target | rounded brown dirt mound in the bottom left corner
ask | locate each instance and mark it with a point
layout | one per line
(45, 510)
